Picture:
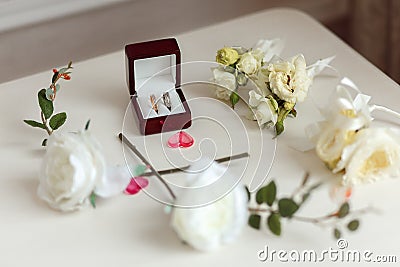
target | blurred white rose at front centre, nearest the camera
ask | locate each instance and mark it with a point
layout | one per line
(207, 227)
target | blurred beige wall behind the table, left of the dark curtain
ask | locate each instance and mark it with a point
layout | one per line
(36, 35)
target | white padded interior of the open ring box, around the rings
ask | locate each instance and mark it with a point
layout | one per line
(155, 76)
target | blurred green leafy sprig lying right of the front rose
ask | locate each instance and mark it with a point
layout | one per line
(275, 209)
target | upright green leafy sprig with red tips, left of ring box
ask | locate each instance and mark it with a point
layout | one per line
(46, 98)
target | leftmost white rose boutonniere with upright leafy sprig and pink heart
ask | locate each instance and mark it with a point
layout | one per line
(74, 170)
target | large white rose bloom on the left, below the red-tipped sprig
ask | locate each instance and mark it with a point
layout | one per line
(74, 167)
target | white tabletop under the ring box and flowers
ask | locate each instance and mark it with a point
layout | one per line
(134, 230)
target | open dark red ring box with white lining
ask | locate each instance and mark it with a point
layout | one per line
(153, 68)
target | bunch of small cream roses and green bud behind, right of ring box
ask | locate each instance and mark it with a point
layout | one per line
(280, 84)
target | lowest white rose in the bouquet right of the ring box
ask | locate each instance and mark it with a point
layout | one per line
(264, 109)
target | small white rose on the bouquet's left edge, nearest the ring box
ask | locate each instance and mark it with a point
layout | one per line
(226, 81)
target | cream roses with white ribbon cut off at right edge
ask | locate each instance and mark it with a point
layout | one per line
(347, 143)
